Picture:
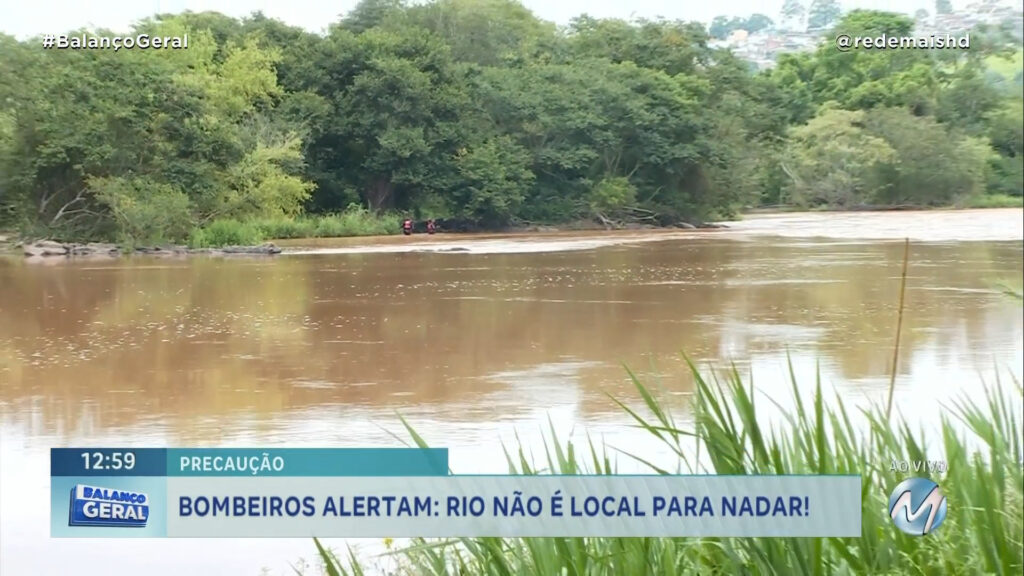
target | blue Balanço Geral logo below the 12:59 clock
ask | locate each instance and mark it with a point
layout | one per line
(94, 506)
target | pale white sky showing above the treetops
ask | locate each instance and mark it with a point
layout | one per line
(26, 19)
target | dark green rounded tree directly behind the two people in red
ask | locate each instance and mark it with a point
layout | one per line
(401, 113)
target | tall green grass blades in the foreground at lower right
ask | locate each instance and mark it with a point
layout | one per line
(983, 533)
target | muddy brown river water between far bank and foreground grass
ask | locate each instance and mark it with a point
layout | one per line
(474, 340)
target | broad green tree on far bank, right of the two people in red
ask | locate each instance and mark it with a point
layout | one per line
(590, 121)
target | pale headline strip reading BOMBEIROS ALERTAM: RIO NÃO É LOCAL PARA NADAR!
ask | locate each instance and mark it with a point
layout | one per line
(517, 507)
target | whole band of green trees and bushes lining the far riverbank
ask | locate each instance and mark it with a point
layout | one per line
(478, 111)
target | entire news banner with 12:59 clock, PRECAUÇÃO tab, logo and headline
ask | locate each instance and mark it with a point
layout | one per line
(370, 493)
